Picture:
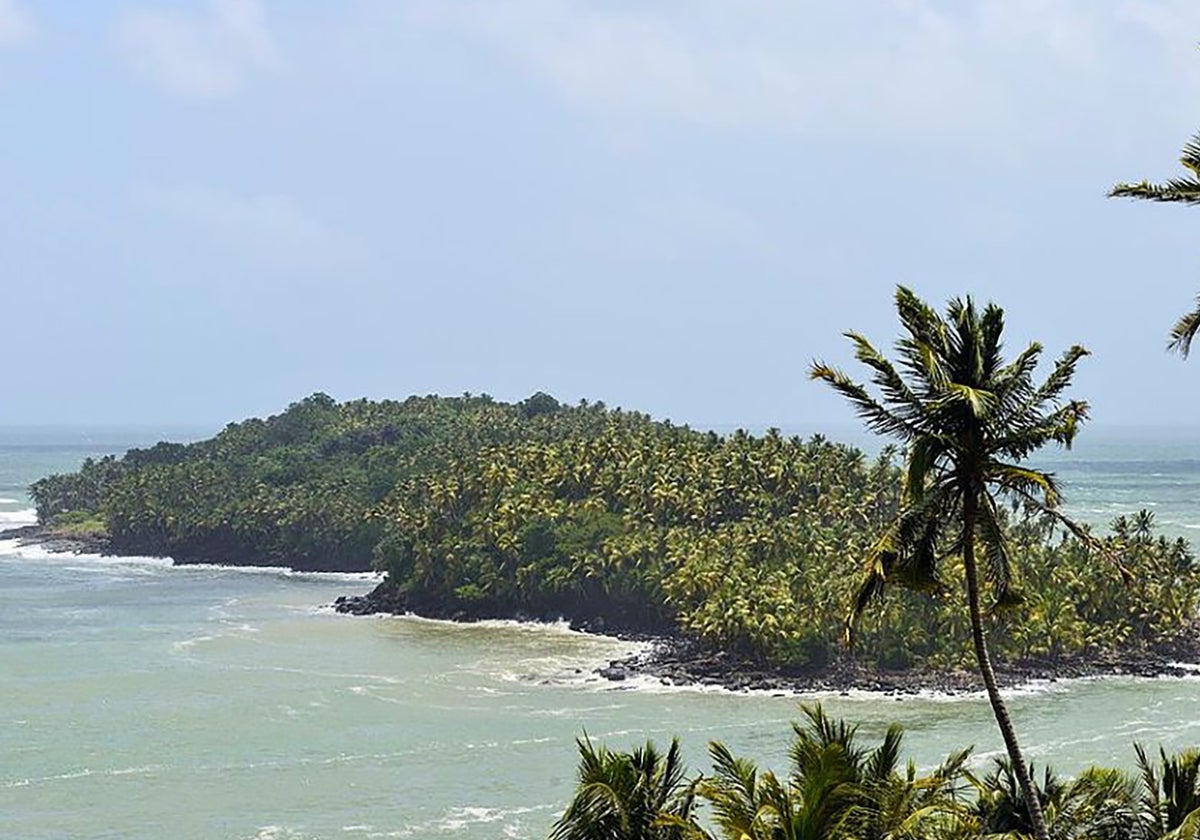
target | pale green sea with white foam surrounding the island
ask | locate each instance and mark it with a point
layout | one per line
(142, 701)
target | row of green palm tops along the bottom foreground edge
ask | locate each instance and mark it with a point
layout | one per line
(839, 789)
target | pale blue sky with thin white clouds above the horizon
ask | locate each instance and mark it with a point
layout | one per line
(214, 208)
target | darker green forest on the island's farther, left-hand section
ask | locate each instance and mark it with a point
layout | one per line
(295, 489)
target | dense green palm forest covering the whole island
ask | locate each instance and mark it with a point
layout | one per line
(479, 508)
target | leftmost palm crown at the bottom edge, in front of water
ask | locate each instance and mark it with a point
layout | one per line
(629, 796)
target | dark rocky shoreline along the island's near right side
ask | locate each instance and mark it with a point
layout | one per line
(677, 661)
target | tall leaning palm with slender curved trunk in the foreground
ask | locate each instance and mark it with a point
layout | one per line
(969, 419)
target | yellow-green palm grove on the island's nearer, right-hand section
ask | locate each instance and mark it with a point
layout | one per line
(749, 543)
